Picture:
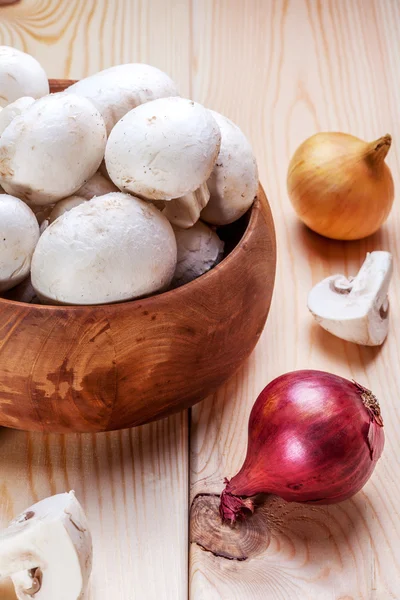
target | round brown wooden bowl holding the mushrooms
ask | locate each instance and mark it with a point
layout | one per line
(100, 368)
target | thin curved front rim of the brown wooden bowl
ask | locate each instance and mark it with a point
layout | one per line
(255, 209)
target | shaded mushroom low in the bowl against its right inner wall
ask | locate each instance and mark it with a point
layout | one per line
(199, 250)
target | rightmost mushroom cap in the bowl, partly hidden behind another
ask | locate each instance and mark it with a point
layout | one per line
(234, 180)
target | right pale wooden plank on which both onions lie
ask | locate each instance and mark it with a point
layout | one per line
(284, 70)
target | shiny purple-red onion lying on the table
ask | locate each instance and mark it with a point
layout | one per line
(313, 437)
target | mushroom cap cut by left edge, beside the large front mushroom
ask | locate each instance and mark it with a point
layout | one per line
(19, 234)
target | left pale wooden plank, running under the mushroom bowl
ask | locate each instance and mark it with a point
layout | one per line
(133, 484)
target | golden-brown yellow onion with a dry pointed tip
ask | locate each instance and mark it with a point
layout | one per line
(340, 186)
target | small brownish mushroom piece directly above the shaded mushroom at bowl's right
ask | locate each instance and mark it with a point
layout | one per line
(185, 211)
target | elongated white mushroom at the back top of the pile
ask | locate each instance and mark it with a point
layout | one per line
(117, 90)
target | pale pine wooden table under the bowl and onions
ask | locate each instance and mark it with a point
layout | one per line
(282, 69)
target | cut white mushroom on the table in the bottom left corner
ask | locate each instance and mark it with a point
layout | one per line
(47, 550)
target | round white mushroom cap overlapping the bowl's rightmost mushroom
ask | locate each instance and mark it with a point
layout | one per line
(163, 149)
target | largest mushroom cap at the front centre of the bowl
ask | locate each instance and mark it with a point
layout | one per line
(112, 248)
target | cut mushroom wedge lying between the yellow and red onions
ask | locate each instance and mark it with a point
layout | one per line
(356, 309)
